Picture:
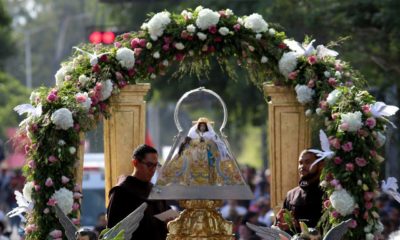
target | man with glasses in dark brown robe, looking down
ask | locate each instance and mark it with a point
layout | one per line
(132, 191)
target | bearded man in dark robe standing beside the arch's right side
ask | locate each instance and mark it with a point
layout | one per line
(305, 200)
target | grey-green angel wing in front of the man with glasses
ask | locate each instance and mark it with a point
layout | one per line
(128, 224)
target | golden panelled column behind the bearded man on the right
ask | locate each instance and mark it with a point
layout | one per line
(288, 134)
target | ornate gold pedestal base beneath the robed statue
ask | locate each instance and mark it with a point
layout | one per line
(200, 221)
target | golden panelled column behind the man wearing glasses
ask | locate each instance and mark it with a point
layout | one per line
(123, 132)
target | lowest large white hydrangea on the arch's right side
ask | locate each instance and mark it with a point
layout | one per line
(342, 202)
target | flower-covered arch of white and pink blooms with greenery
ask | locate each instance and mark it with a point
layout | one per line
(329, 87)
